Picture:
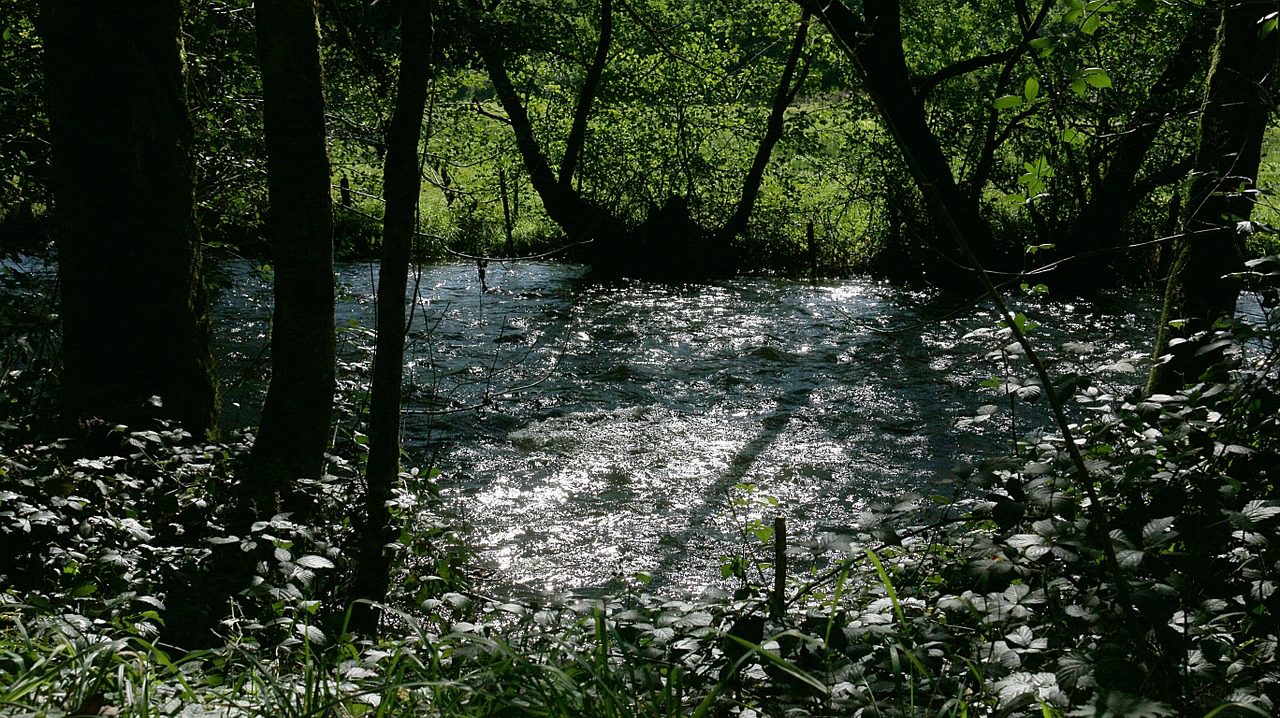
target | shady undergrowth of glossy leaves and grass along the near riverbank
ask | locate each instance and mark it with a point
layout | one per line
(995, 598)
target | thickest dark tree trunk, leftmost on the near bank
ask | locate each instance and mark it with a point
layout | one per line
(134, 308)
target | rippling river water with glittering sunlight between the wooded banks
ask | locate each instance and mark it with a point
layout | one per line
(587, 431)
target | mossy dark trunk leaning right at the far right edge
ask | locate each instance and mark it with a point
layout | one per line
(1235, 117)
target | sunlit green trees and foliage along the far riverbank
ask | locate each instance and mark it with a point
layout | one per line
(1063, 124)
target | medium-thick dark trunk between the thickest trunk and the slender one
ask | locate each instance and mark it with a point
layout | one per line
(296, 420)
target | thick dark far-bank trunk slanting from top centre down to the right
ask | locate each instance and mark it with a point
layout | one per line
(874, 42)
